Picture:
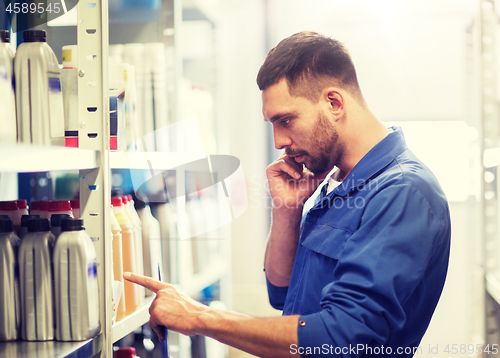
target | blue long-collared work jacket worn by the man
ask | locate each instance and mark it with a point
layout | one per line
(372, 259)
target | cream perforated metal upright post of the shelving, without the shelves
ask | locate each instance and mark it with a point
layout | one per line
(93, 133)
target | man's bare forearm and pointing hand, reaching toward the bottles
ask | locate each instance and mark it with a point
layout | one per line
(263, 337)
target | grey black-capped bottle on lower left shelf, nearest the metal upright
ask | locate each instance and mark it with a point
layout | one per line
(76, 287)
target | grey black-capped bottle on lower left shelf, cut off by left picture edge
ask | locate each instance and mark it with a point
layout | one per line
(10, 315)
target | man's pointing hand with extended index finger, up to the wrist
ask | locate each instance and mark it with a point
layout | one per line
(171, 307)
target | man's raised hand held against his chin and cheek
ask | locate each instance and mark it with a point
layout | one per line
(290, 183)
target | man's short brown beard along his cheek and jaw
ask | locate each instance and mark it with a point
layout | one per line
(325, 148)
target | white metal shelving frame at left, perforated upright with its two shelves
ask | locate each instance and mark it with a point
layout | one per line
(91, 159)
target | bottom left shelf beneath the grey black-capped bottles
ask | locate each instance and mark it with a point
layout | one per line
(52, 349)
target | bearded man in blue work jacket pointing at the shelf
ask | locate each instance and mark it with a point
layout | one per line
(361, 272)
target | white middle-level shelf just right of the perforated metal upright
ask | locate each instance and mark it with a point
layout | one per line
(150, 160)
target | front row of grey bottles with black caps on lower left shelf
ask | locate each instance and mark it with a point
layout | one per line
(49, 282)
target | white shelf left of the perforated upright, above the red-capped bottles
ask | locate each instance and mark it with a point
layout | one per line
(23, 158)
